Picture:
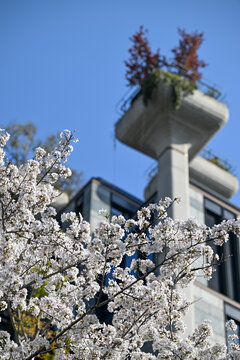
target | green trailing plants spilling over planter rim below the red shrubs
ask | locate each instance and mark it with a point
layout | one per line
(181, 87)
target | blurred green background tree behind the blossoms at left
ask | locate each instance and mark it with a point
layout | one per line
(20, 148)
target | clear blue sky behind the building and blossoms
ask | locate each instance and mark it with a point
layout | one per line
(62, 66)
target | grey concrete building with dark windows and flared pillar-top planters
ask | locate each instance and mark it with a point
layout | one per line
(175, 139)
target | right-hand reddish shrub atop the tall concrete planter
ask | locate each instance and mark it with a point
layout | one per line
(186, 56)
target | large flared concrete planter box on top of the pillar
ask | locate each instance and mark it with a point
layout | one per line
(152, 128)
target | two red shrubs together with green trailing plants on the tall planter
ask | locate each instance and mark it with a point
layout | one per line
(145, 69)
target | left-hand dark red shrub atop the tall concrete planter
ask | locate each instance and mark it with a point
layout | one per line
(142, 61)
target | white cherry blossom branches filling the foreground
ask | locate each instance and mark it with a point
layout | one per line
(58, 280)
